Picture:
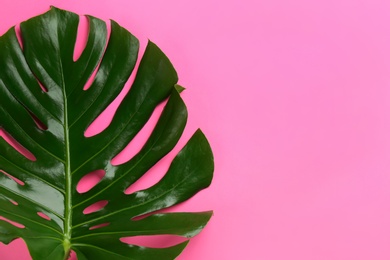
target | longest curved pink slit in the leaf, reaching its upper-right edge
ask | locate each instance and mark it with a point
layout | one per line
(105, 118)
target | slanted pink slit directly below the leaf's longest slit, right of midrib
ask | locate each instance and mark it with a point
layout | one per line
(140, 139)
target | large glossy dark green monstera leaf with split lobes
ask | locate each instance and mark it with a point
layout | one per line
(45, 109)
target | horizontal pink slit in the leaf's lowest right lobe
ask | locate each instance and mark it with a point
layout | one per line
(155, 241)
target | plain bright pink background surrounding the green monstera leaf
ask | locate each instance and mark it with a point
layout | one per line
(294, 97)
